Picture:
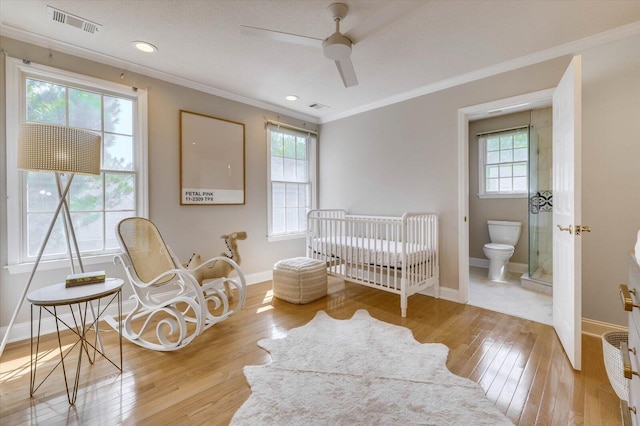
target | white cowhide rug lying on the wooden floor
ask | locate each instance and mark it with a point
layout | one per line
(360, 371)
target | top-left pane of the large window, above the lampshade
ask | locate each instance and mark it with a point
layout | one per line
(46, 102)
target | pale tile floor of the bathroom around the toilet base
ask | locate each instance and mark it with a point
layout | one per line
(508, 297)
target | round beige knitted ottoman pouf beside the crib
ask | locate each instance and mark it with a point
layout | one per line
(300, 280)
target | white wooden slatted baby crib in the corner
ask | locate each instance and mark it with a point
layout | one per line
(394, 254)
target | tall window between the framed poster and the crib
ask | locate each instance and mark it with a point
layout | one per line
(291, 181)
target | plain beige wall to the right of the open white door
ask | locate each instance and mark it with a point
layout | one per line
(610, 174)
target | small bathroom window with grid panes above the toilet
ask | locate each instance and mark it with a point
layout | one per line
(503, 164)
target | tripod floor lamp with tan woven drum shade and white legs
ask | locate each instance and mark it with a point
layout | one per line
(61, 150)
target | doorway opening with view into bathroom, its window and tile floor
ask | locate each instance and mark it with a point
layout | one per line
(510, 180)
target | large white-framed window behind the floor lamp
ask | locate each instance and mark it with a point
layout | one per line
(42, 94)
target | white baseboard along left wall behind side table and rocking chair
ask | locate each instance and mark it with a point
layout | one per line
(22, 331)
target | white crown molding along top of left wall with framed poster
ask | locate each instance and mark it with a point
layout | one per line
(81, 52)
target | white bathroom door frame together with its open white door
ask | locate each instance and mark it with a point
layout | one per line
(566, 101)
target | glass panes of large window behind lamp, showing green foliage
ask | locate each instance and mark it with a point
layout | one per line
(96, 202)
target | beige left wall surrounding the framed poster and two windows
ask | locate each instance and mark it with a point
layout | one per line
(186, 229)
